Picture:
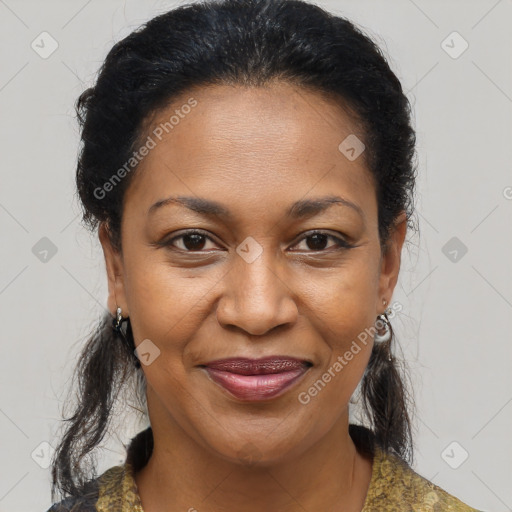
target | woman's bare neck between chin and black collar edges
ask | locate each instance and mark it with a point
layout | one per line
(182, 475)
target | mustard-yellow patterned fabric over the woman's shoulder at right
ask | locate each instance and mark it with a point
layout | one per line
(396, 486)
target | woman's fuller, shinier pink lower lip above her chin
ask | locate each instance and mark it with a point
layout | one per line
(256, 387)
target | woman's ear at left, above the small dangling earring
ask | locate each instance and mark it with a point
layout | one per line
(115, 273)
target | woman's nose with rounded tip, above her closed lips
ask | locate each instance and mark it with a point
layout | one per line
(256, 297)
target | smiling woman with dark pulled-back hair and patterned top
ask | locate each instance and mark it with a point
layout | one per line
(248, 165)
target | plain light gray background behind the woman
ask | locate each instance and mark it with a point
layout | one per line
(455, 326)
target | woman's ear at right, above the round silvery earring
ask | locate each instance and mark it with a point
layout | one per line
(390, 259)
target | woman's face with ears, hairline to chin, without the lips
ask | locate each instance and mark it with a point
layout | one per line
(263, 272)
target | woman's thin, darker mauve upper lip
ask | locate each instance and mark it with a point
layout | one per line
(265, 365)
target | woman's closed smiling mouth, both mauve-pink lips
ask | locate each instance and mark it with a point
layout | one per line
(257, 379)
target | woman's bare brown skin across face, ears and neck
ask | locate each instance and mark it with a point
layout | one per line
(256, 151)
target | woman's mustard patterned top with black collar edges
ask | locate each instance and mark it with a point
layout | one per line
(394, 485)
